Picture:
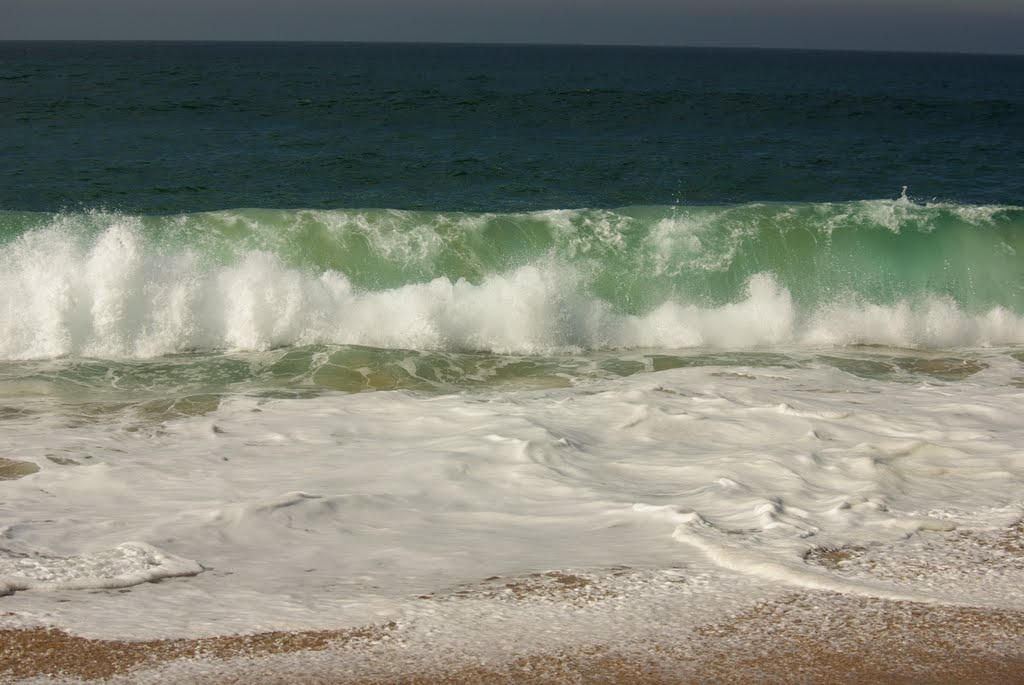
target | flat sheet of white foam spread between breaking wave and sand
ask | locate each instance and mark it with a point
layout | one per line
(340, 510)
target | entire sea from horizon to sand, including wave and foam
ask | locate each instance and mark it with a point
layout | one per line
(566, 344)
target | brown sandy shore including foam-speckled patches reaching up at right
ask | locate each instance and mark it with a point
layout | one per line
(777, 635)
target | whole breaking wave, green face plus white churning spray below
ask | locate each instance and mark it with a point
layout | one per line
(105, 284)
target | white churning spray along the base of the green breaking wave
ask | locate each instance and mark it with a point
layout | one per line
(119, 296)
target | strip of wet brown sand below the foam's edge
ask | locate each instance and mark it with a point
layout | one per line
(800, 638)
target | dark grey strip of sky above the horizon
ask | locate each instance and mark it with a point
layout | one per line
(958, 26)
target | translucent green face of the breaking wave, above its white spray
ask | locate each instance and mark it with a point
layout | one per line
(633, 259)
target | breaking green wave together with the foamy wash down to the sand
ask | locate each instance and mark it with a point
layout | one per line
(681, 410)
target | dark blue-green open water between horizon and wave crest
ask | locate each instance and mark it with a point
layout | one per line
(182, 127)
